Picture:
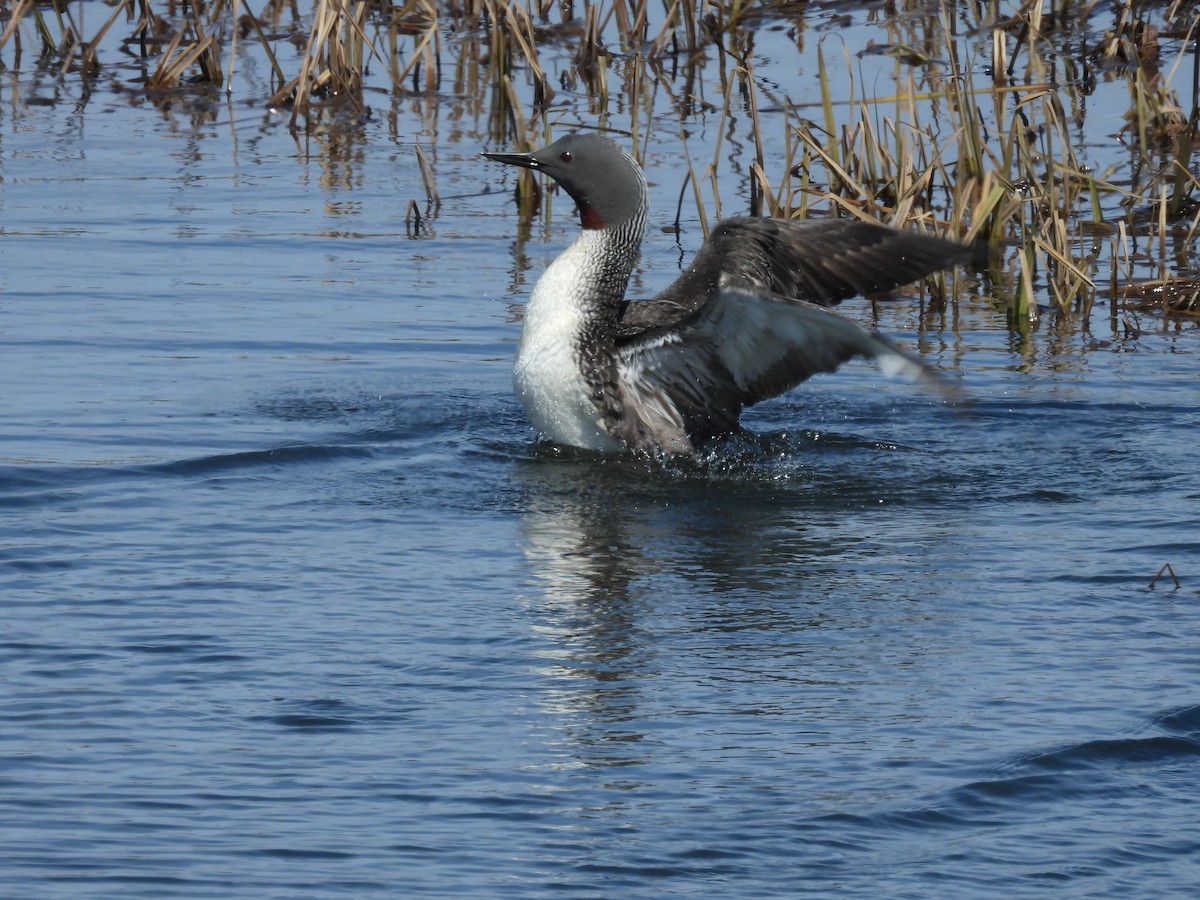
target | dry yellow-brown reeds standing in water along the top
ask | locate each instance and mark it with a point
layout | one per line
(976, 134)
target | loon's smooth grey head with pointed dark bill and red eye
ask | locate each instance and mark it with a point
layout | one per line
(603, 179)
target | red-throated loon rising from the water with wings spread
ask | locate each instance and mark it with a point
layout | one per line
(746, 322)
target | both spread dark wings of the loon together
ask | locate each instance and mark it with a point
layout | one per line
(749, 320)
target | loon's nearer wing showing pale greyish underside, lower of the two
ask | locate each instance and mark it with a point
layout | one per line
(743, 346)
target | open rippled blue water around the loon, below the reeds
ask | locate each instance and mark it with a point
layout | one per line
(295, 605)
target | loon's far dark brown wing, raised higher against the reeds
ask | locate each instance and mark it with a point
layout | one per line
(821, 262)
